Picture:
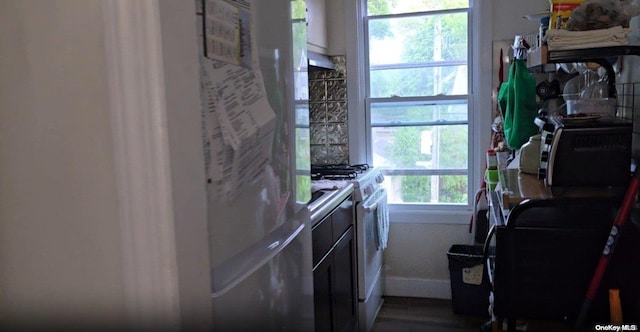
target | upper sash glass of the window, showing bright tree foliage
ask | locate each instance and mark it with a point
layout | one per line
(413, 56)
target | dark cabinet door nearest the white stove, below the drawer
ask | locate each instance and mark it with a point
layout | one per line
(343, 290)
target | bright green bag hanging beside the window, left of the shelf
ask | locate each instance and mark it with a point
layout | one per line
(517, 101)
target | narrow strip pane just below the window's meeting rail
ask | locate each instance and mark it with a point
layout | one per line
(412, 112)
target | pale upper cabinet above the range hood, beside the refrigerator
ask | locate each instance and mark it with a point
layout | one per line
(325, 34)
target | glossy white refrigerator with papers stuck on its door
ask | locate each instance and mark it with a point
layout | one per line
(255, 111)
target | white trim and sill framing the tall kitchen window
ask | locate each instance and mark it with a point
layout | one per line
(481, 96)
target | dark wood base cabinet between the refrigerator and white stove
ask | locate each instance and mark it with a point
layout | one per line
(334, 272)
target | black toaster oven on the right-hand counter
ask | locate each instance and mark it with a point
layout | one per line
(585, 151)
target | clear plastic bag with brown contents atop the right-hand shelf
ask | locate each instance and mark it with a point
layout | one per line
(601, 14)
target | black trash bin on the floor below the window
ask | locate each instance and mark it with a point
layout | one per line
(470, 286)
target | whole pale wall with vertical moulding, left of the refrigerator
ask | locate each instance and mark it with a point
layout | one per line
(67, 258)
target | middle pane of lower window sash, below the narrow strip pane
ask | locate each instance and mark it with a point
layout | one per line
(424, 147)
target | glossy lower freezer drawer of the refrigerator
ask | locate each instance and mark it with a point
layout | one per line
(277, 296)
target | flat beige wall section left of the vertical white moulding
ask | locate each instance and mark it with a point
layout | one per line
(60, 257)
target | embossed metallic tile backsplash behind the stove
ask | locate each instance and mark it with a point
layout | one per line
(328, 118)
